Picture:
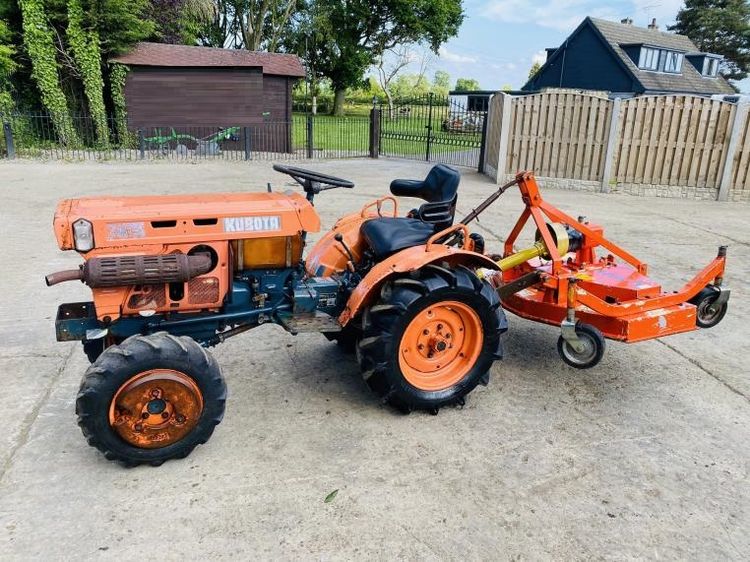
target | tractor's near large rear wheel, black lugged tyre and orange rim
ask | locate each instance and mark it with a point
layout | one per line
(431, 338)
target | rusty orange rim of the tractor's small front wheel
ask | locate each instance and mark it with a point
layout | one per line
(156, 408)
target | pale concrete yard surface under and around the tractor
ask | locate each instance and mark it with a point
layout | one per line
(645, 456)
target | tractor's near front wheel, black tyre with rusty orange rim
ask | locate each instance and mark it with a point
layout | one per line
(151, 399)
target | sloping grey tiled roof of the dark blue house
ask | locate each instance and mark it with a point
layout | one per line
(689, 80)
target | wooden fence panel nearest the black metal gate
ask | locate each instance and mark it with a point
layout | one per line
(559, 134)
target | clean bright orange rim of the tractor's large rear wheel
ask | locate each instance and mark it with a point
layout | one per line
(440, 345)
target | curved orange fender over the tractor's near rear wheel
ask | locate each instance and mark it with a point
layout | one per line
(410, 259)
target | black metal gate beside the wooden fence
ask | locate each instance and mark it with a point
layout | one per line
(434, 129)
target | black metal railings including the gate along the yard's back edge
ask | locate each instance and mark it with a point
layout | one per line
(422, 128)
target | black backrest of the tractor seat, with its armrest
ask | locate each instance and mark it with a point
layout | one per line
(440, 191)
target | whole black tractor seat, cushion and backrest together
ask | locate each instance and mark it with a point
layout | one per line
(439, 190)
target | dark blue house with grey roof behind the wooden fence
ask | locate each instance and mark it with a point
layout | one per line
(626, 60)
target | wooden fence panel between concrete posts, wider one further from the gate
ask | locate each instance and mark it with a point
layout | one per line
(673, 140)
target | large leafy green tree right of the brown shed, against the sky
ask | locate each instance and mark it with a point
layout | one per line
(341, 39)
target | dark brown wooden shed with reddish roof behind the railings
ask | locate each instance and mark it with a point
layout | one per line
(200, 89)
